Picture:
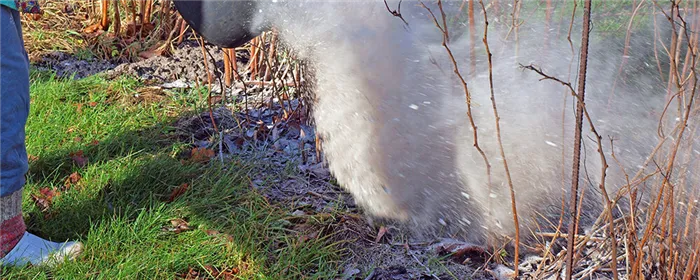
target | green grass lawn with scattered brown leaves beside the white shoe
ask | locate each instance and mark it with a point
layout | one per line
(119, 207)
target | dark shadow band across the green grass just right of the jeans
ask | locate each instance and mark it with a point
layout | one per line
(132, 169)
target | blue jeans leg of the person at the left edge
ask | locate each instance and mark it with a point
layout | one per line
(14, 102)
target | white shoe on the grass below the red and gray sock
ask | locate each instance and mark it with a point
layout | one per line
(37, 251)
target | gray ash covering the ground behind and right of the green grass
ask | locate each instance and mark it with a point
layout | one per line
(285, 167)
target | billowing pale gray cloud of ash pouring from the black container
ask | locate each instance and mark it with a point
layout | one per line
(393, 115)
